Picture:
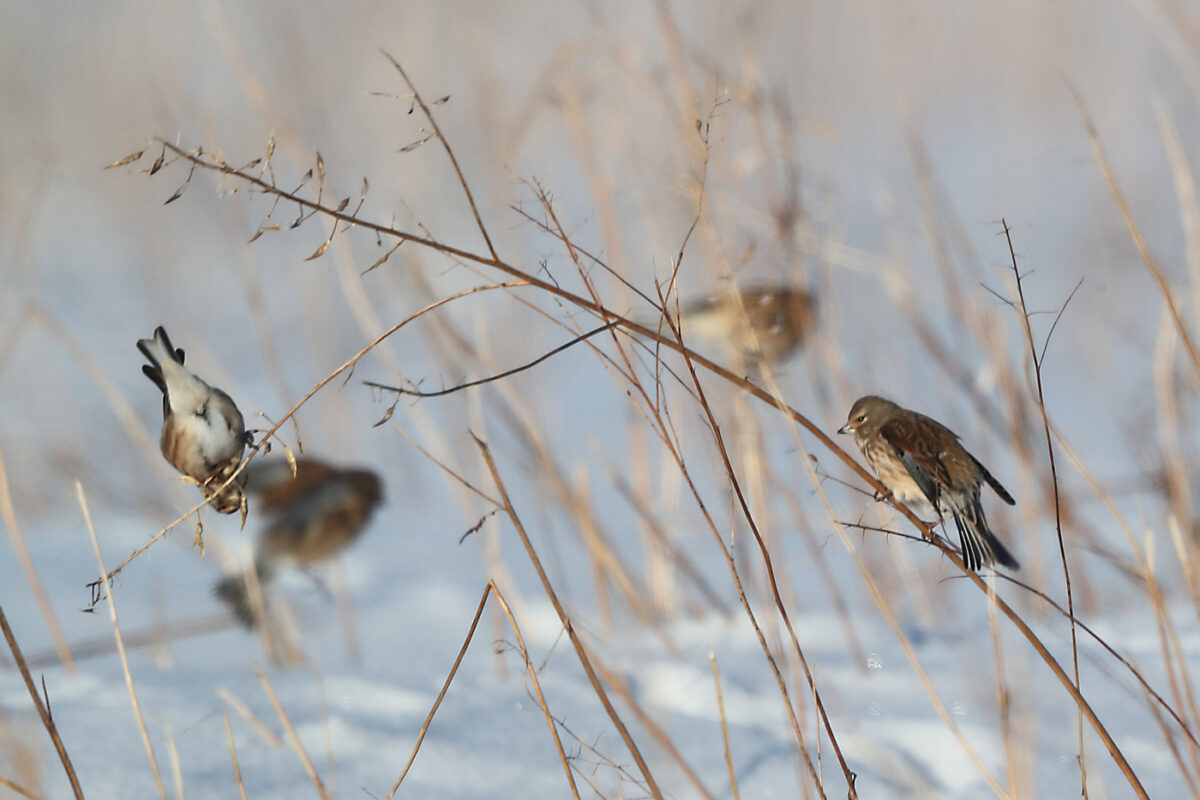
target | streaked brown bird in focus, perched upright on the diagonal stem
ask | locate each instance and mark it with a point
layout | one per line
(923, 465)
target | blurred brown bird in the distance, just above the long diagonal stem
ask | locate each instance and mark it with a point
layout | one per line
(755, 324)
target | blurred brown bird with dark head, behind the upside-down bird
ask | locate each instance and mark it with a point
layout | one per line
(310, 518)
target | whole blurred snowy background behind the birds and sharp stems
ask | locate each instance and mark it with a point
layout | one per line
(866, 153)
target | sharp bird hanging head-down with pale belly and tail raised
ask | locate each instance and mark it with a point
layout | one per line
(203, 434)
